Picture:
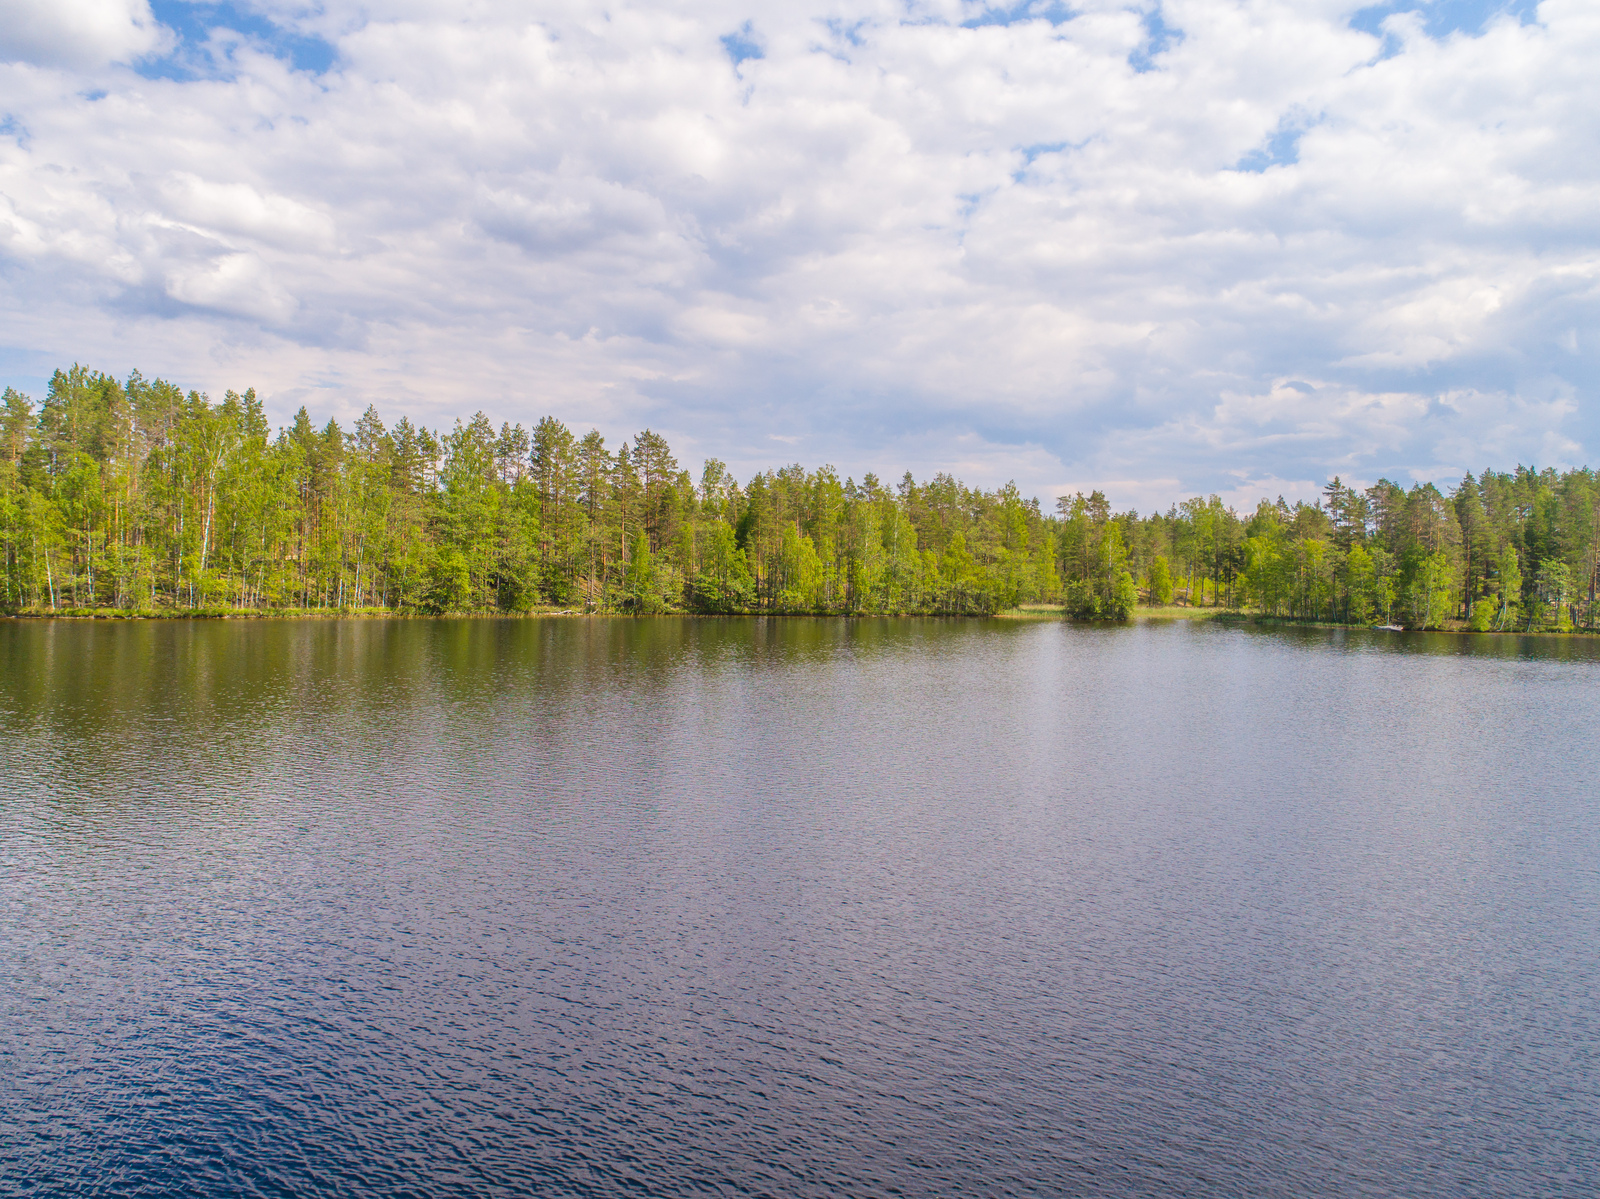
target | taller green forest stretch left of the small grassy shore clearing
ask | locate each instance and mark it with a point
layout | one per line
(137, 495)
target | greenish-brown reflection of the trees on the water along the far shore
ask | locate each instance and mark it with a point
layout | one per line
(108, 716)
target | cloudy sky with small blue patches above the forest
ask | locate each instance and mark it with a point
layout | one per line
(1158, 249)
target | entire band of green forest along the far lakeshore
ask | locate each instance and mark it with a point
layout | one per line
(135, 495)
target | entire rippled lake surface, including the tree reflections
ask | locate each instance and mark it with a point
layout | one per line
(796, 908)
